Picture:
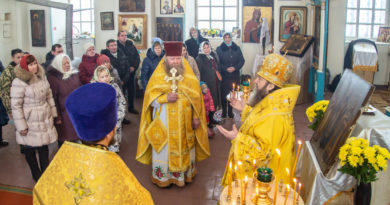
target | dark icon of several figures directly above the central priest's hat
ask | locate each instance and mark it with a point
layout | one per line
(170, 29)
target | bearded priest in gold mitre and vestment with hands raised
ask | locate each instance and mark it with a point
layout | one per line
(267, 121)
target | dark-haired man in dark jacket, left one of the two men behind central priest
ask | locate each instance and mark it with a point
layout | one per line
(118, 60)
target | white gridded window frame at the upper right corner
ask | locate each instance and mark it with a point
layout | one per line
(373, 33)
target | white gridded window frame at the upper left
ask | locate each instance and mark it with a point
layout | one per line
(80, 21)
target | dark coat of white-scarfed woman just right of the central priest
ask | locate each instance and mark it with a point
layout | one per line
(207, 75)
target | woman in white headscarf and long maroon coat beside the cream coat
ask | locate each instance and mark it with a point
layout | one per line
(63, 79)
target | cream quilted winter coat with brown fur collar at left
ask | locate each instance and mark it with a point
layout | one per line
(33, 108)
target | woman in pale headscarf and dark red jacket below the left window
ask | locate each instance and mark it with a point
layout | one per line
(88, 63)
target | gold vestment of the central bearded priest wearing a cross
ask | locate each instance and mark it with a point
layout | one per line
(180, 135)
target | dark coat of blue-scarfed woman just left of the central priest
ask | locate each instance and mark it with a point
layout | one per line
(149, 65)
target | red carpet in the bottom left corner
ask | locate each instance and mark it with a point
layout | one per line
(10, 195)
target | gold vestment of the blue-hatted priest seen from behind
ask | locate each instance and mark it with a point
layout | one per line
(80, 174)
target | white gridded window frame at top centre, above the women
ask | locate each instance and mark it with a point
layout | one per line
(223, 6)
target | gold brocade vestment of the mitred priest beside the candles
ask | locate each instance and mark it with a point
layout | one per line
(267, 126)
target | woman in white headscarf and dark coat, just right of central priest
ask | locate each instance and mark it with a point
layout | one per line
(208, 65)
